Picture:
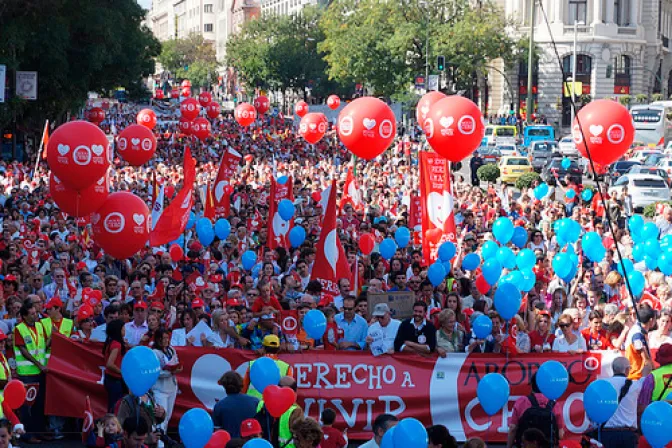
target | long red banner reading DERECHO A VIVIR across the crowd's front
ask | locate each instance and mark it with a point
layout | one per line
(357, 385)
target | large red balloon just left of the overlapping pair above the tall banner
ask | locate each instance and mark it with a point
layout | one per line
(366, 127)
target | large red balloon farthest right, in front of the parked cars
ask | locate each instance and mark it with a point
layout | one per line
(607, 130)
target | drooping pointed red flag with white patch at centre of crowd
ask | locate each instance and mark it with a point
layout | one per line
(331, 264)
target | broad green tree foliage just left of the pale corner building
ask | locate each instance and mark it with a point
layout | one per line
(383, 43)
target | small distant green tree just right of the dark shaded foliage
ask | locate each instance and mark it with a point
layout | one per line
(191, 58)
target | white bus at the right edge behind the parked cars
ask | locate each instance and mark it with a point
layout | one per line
(653, 123)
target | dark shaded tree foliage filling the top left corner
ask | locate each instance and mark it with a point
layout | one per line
(76, 46)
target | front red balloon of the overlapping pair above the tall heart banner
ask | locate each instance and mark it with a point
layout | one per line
(454, 127)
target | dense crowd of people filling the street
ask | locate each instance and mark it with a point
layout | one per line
(56, 280)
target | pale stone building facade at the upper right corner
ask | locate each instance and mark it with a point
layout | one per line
(622, 48)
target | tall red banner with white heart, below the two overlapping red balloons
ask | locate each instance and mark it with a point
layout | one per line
(436, 200)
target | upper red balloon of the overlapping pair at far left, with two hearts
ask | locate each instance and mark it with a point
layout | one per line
(78, 154)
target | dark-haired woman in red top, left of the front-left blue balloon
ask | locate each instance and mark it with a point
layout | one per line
(113, 351)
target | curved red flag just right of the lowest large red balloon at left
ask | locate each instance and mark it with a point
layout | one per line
(174, 219)
